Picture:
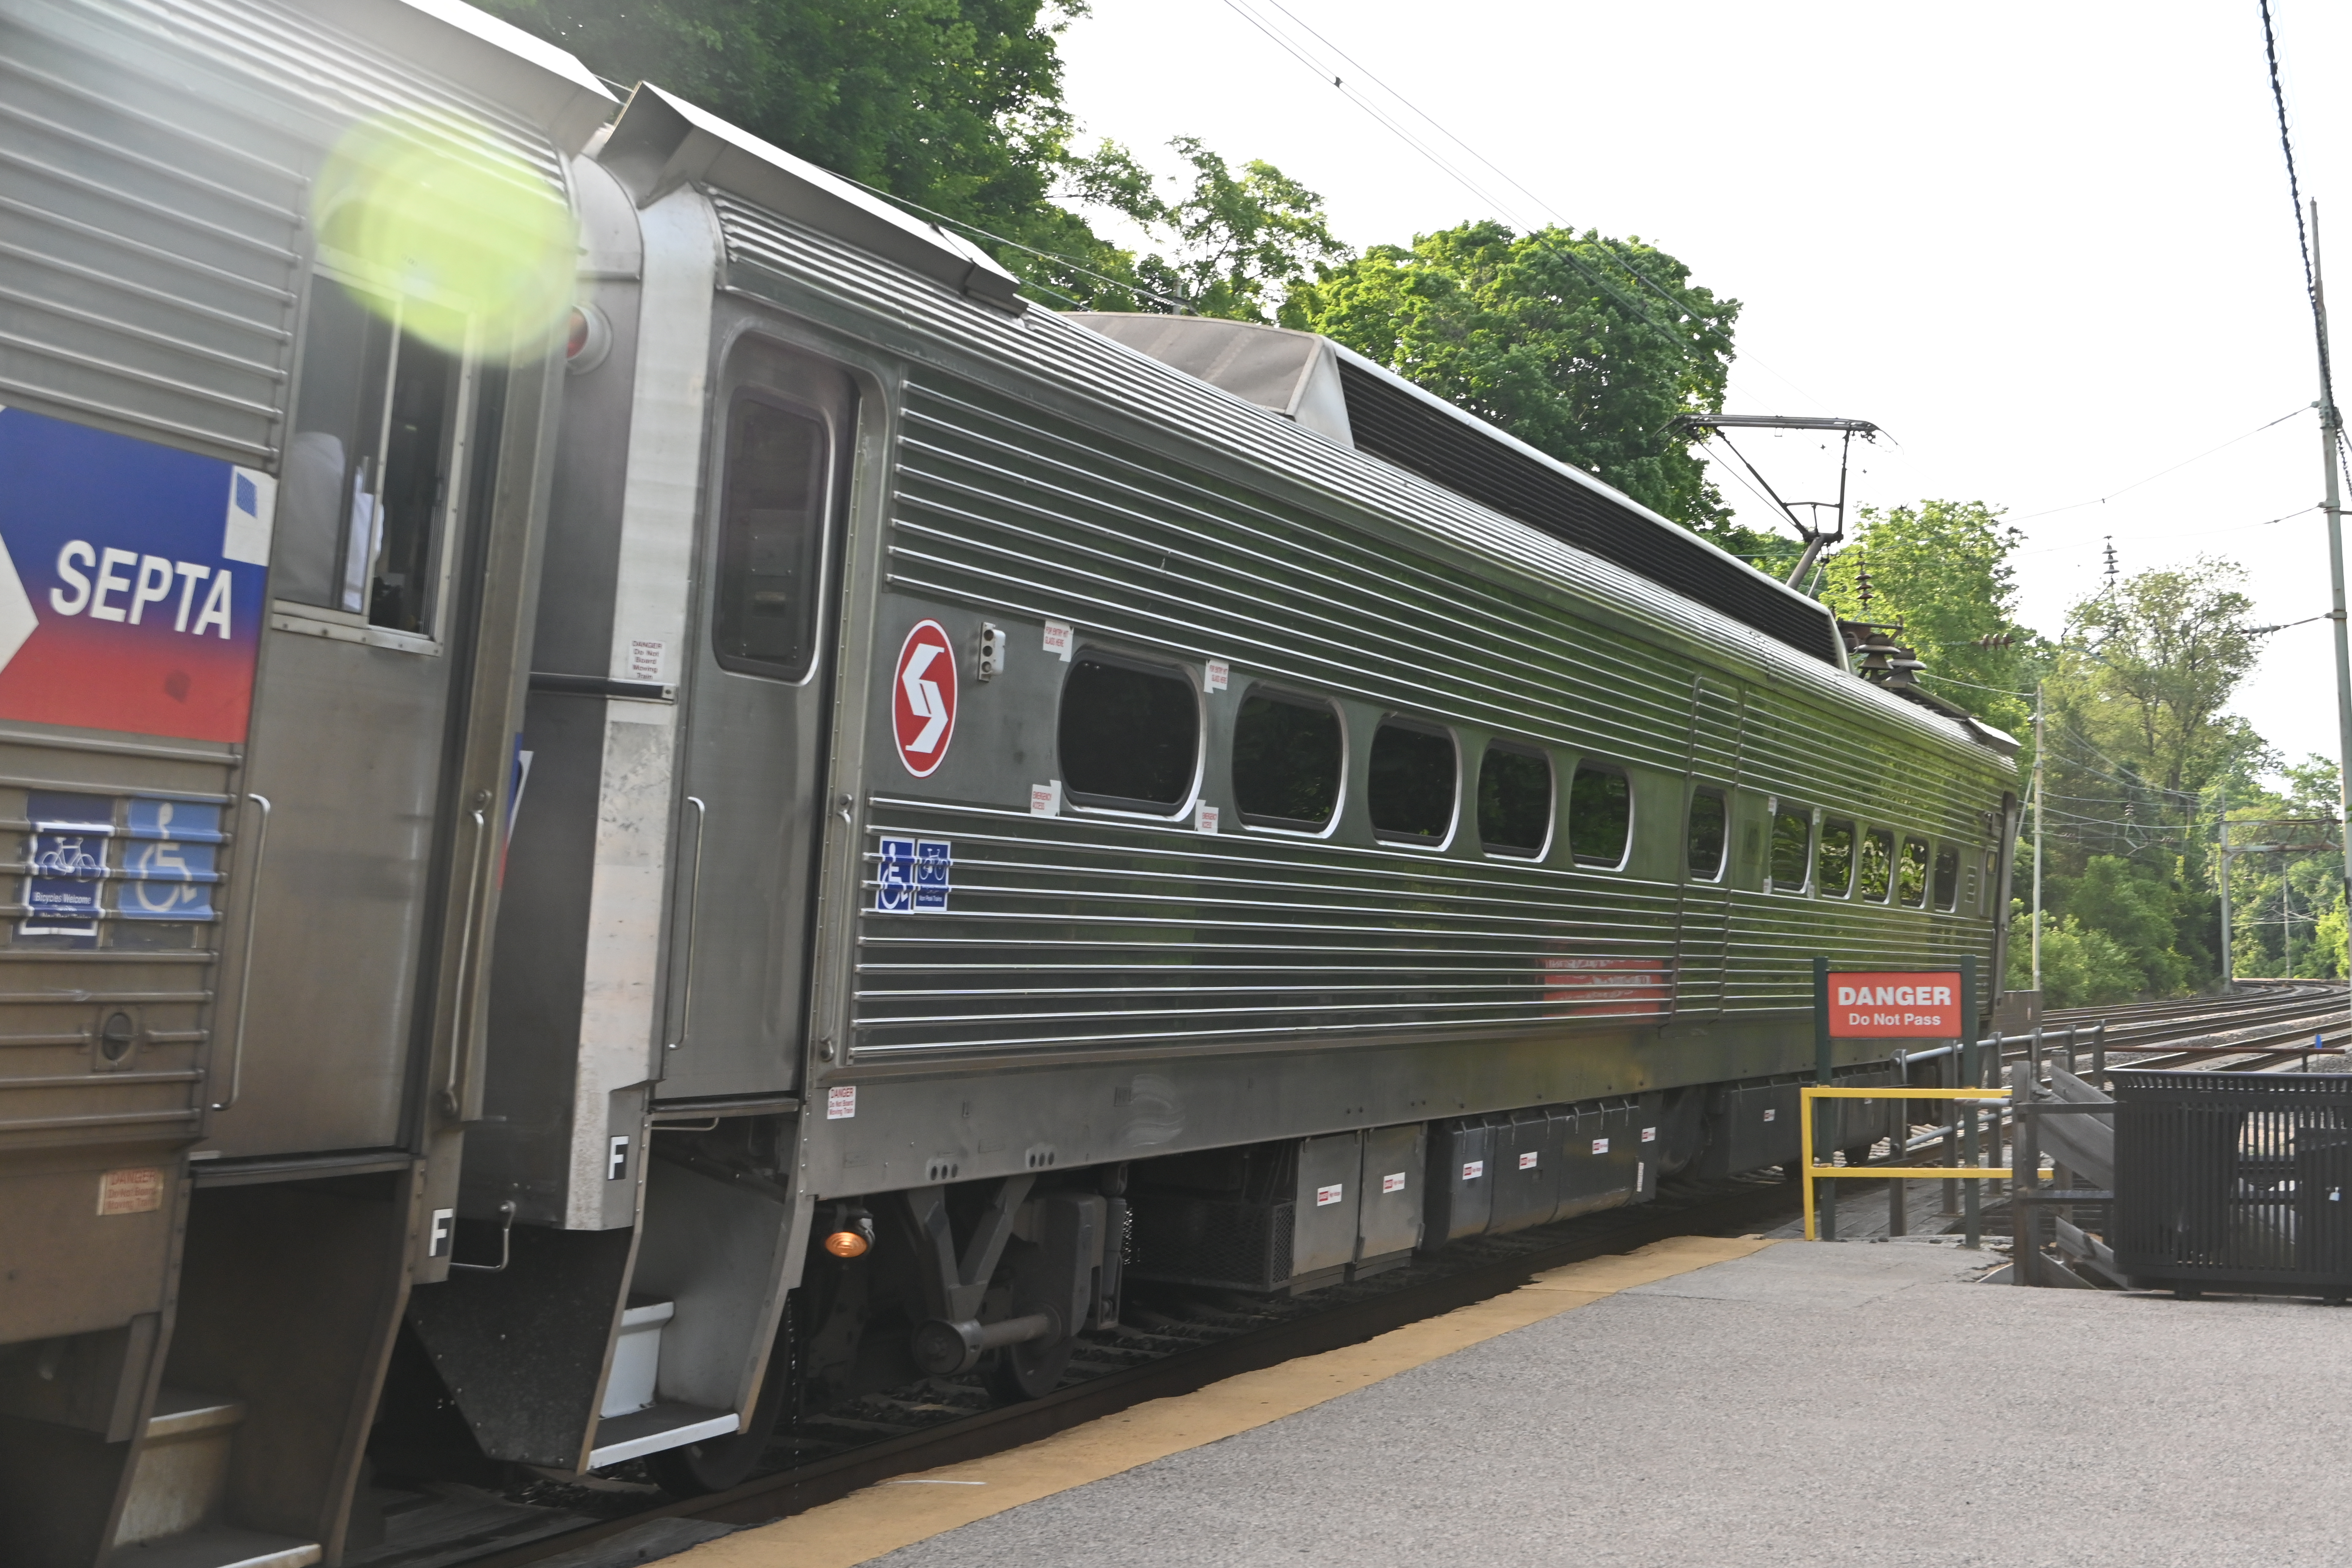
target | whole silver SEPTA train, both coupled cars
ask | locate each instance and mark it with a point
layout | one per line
(584, 897)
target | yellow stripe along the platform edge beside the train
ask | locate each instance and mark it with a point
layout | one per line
(907, 1510)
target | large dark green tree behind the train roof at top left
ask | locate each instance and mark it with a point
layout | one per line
(958, 107)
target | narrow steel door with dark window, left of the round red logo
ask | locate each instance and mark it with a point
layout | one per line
(759, 692)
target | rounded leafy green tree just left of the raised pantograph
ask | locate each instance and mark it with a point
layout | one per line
(1561, 340)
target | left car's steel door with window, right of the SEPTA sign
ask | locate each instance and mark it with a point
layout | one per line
(368, 645)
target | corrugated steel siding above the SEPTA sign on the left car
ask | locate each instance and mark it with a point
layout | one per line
(156, 166)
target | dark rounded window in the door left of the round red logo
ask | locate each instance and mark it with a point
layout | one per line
(773, 535)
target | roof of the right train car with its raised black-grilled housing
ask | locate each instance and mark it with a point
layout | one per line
(787, 220)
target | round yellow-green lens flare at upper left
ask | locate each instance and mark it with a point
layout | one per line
(446, 213)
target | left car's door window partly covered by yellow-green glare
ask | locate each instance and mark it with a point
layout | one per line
(368, 467)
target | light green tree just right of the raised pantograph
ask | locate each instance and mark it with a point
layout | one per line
(1944, 572)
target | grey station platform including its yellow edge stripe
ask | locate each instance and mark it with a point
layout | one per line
(1697, 1402)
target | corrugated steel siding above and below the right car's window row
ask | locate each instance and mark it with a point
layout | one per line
(1085, 934)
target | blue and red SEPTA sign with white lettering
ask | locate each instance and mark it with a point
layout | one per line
(131, 582)
